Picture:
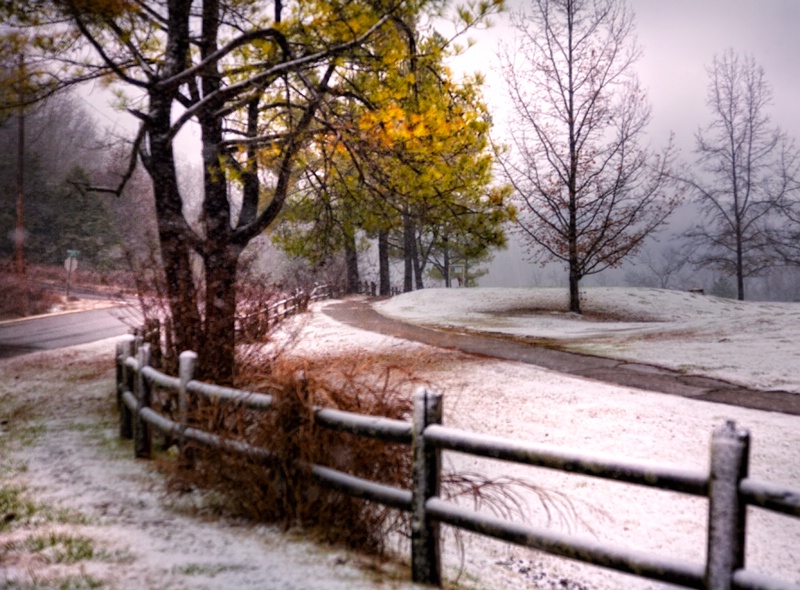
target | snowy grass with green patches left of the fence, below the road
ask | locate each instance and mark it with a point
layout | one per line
(73, 489)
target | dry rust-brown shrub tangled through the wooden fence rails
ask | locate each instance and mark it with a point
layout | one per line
(281, 489)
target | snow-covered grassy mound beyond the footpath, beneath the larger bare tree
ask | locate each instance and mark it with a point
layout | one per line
(750, 343)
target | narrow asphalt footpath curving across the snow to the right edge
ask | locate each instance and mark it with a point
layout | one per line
(360, 314)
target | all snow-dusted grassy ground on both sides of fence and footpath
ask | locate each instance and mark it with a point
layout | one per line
(74, 460)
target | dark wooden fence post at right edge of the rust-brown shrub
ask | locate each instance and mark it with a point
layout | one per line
(425, 556)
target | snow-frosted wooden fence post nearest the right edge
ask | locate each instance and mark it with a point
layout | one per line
(730, 449)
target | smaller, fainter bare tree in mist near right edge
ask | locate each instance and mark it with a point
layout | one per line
(745, 167)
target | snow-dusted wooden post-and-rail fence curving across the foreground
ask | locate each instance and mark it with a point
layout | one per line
(726, 485)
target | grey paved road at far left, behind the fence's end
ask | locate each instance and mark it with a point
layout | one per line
(56, 331)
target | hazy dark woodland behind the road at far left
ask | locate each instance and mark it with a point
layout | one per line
(62, 156)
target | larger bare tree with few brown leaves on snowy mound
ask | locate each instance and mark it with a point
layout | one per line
(589, 192)
